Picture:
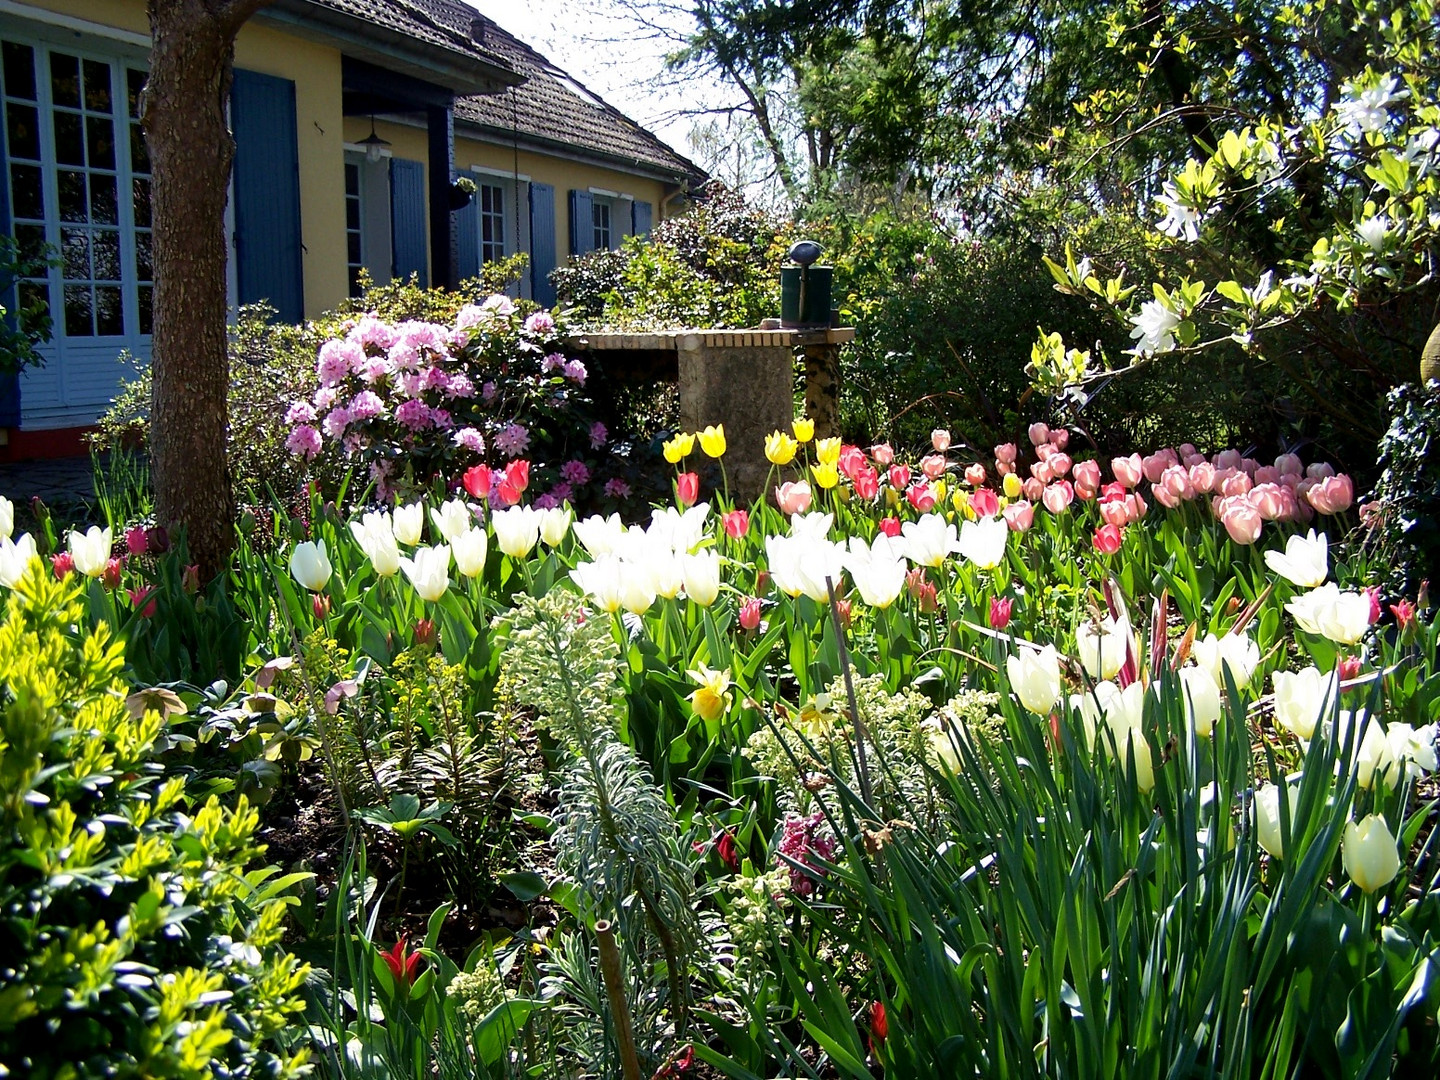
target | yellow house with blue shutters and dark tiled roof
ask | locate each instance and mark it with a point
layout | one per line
(352, 122)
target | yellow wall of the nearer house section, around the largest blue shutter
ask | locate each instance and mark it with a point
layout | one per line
(319, 117)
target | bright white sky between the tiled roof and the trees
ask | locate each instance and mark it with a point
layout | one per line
(580, 37)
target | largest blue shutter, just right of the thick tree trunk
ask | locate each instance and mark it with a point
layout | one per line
(267, 195)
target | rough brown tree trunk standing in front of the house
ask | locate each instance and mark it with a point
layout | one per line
(191, 149)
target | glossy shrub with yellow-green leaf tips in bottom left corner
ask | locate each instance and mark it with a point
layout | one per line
(135, 941)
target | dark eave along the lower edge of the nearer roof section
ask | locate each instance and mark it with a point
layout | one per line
(392, 50)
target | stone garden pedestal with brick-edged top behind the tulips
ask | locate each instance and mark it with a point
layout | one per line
(742, 379)
